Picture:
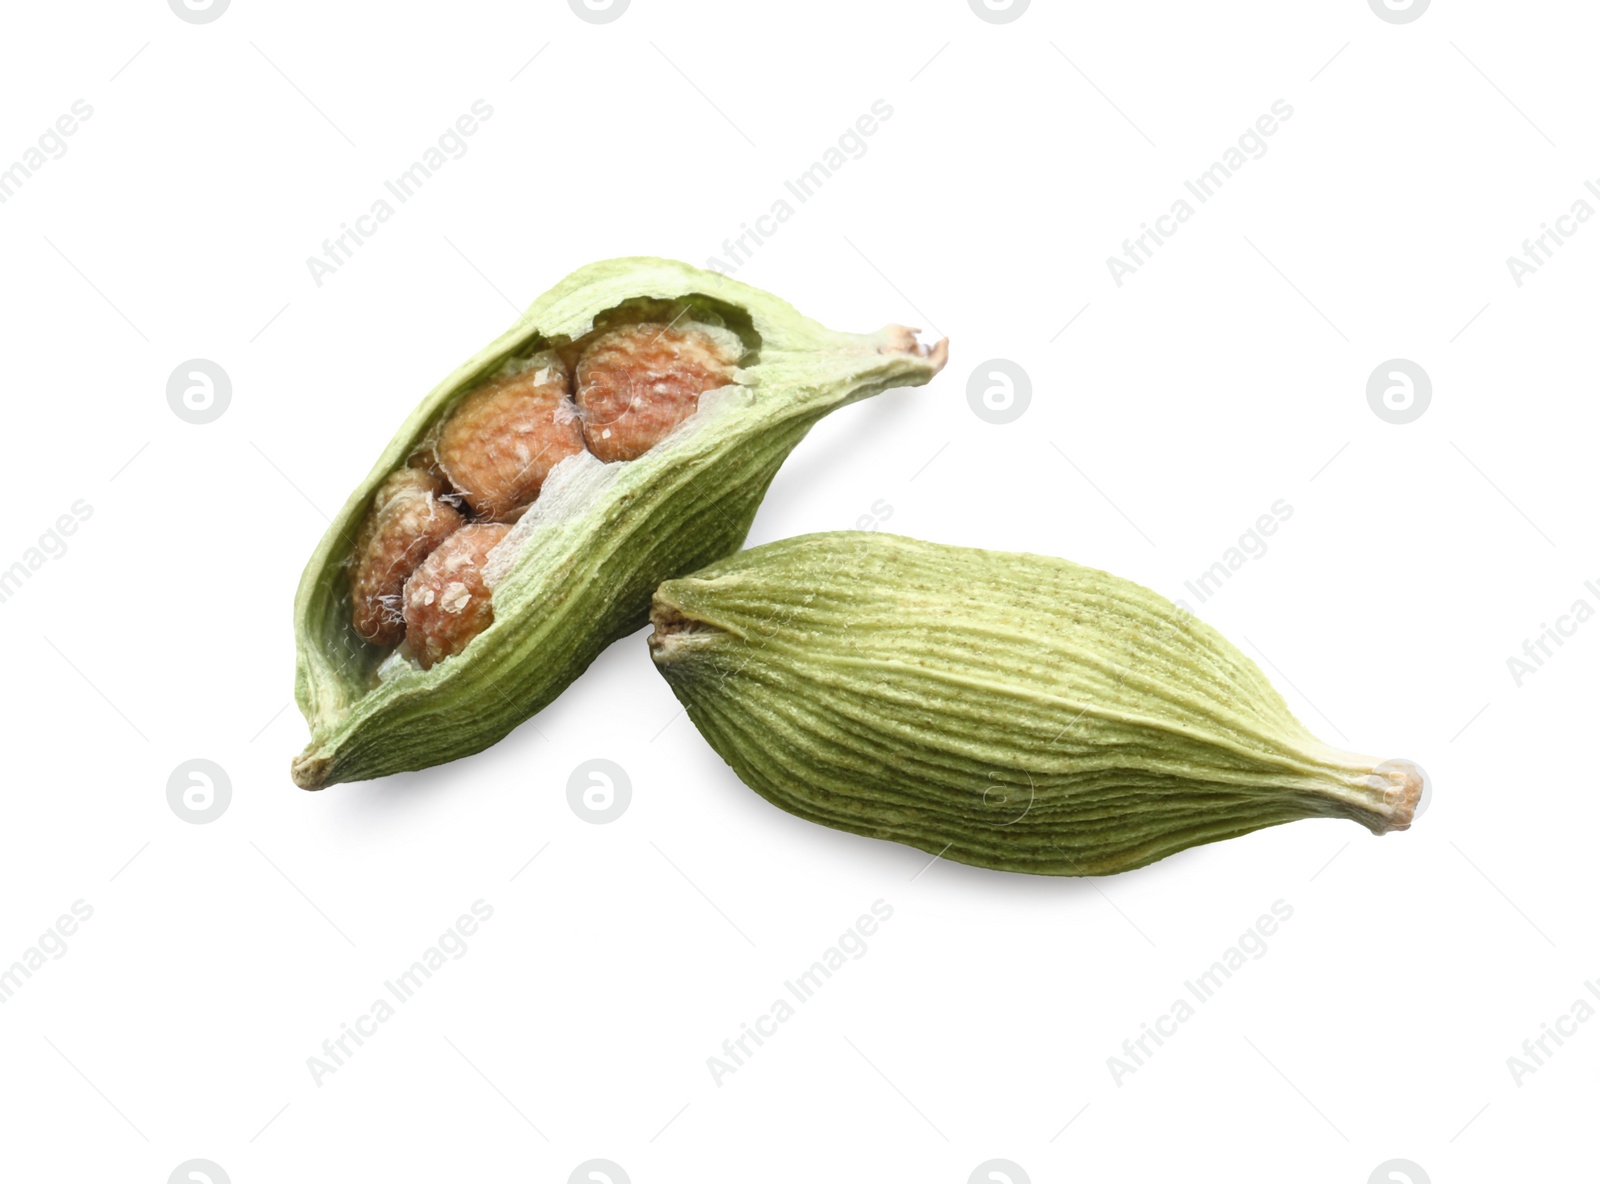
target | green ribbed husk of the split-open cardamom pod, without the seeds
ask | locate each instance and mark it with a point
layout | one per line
(599, 540)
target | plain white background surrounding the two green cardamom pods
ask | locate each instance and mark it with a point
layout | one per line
(1174, 410)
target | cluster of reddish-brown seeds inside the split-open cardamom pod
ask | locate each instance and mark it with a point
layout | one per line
(418, 562)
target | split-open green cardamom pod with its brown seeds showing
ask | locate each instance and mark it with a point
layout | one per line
(622, 433)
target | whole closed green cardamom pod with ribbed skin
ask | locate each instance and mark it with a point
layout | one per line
(1006, 711)
